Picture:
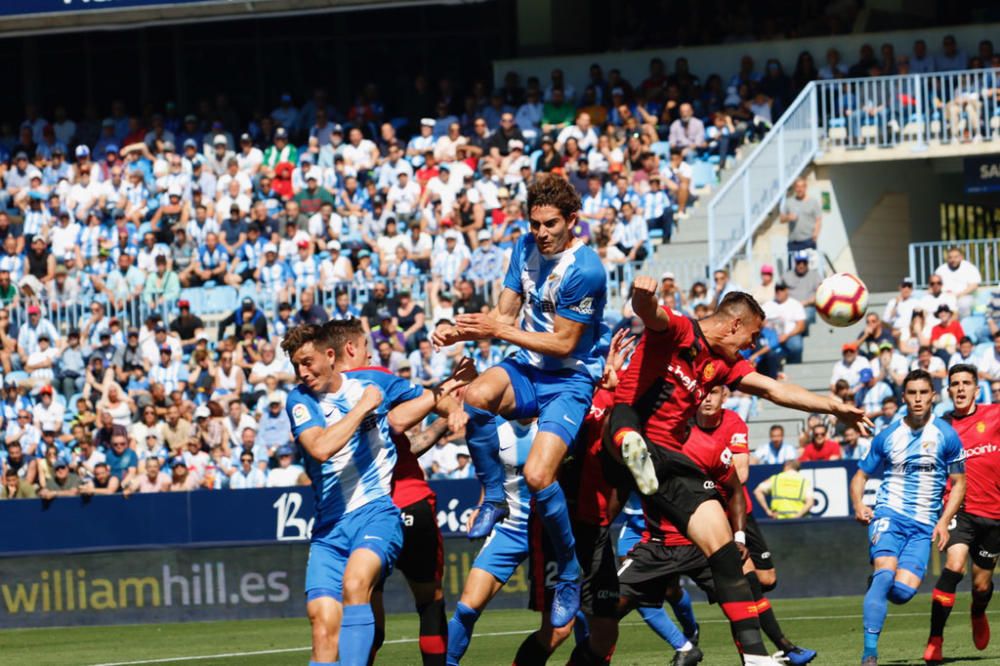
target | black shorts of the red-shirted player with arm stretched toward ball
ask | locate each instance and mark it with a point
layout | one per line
(683, 487)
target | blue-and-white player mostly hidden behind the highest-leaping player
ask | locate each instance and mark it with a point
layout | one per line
(507, 545)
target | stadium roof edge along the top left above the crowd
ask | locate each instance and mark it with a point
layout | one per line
(149, 13)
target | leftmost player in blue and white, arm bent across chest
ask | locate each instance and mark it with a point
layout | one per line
(343, 425)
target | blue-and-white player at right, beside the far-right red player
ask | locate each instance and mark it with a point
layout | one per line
(920, 454)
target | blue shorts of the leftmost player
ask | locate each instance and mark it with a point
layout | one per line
(375, 526)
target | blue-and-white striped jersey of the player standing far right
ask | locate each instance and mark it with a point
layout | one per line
(916, 466)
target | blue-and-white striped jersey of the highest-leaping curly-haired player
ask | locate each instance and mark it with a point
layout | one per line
(571, 284)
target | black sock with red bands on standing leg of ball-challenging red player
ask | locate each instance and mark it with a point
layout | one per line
(736, 599)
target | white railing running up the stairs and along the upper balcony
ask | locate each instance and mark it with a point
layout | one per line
(852, 114)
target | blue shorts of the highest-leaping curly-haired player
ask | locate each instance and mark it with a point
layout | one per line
(560, 399)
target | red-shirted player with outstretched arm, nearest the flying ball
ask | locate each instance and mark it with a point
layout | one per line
(675, 364)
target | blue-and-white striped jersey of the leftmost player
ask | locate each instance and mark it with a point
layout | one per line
(361, 472)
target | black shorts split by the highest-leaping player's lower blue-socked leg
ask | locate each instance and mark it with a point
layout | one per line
(599, 580)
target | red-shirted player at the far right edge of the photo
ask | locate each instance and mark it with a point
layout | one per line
(975, 530)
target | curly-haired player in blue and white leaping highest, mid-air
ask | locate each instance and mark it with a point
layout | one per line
(562, 283)
